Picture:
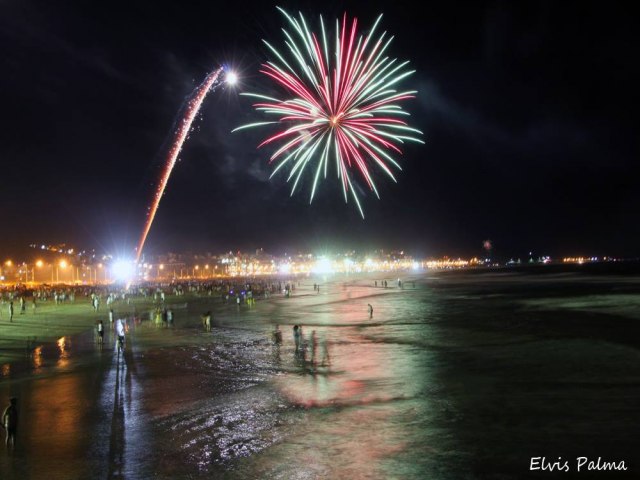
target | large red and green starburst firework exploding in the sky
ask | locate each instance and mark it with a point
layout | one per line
(340, 105)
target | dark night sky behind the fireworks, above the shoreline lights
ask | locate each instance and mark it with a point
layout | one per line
(527, 109)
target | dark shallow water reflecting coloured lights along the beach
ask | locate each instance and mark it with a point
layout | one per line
(463, 376)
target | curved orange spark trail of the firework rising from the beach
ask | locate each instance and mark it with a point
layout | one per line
(192, 107)
